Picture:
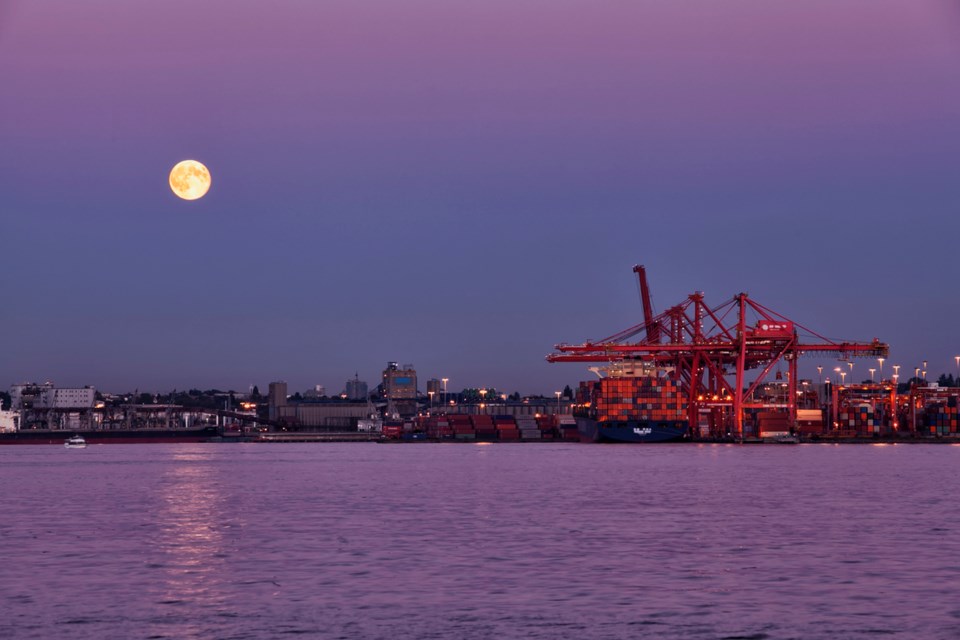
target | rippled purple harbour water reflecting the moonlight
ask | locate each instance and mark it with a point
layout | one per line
(471, 541)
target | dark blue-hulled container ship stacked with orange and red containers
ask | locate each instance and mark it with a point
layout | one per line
(631, 405)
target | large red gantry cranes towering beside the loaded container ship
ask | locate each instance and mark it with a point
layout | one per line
(705, 347)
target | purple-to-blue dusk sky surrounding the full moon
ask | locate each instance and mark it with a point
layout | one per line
(461, 184)
